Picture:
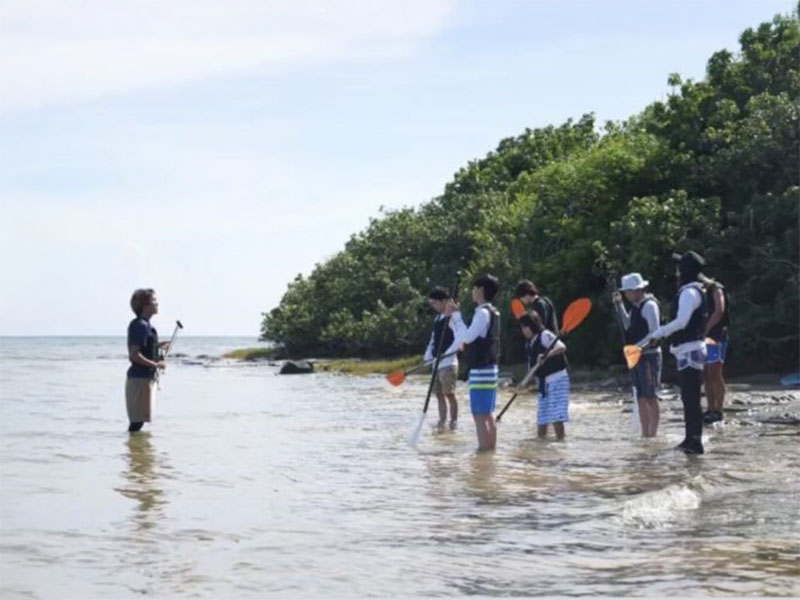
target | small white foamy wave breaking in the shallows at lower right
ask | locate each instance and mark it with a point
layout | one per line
(660, 508)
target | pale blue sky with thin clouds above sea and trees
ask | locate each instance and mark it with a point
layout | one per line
(214, 149)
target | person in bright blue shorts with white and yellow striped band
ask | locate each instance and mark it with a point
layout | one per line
(482, 339)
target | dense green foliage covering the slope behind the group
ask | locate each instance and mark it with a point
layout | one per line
(714, 168)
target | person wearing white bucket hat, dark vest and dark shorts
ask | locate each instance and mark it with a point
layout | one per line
(644, 319)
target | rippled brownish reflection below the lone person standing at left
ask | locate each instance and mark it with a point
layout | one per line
(143, 474)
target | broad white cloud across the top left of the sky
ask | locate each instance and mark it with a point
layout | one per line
(61, 51)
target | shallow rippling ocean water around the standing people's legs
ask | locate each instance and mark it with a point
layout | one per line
(250, 484)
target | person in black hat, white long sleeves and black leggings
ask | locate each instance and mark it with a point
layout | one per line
(686, 333)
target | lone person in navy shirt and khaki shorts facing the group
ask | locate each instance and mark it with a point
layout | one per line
(144, 355)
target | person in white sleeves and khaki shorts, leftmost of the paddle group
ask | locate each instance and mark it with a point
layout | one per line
(443, 340)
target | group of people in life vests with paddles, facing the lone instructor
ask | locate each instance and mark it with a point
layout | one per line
(697, 333)
